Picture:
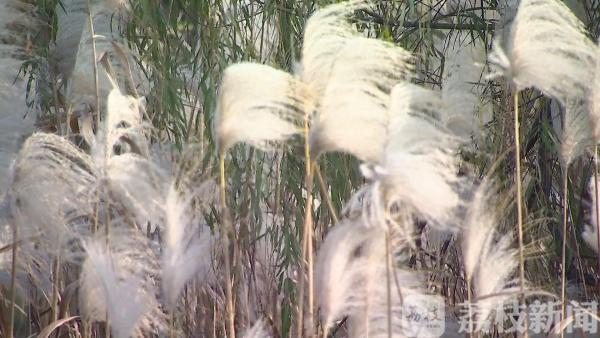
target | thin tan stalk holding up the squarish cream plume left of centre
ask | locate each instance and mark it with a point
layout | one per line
(225, 232)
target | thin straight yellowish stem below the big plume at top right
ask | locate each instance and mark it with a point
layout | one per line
(520, 207)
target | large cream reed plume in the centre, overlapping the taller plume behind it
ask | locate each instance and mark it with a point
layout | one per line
(352, 114)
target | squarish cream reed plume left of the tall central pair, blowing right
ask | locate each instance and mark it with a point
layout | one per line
(259, 105)
